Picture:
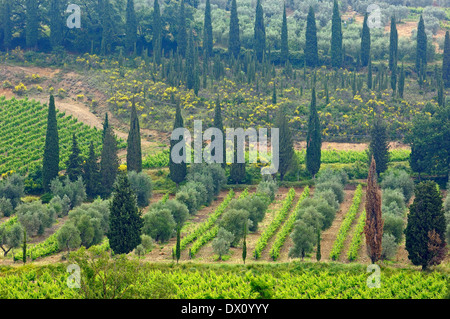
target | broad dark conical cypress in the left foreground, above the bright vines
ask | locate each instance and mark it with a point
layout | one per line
(125, 221)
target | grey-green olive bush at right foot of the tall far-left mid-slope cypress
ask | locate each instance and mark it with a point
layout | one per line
(76, 190)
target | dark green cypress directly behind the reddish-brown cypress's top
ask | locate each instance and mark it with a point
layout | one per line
(379, 145)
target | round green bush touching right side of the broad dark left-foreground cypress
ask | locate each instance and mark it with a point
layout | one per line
(159, 224)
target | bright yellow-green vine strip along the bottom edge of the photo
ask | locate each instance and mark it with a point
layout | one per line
(198, 282)
